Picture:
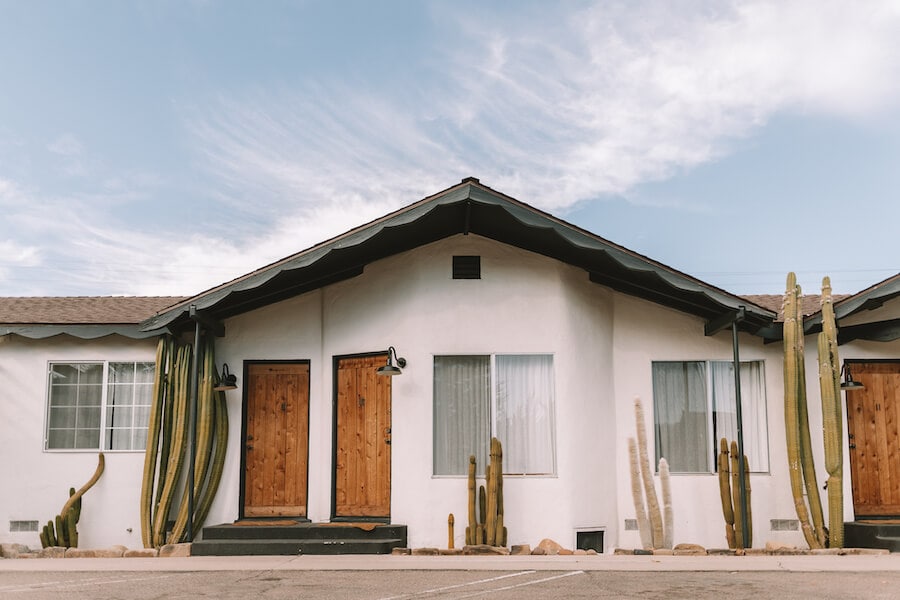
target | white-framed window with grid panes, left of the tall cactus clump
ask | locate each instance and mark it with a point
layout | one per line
(98, 405)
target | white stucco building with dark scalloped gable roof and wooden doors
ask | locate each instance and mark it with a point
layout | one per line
(512, 324)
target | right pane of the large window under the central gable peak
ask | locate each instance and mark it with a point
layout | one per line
(526, 422)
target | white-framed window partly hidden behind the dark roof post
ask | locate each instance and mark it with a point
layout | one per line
(694, 407)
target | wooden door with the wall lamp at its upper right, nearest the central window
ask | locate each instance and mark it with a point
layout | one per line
(362, 446)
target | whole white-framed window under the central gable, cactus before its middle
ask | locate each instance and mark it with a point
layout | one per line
(508, 396)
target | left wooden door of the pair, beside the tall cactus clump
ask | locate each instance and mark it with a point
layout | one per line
(277, 439)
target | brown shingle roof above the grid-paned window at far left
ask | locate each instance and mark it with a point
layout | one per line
(81, 310)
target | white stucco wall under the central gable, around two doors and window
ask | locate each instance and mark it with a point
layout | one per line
(524, 303)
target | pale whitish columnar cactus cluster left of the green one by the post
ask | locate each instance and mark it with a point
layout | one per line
(650, 522)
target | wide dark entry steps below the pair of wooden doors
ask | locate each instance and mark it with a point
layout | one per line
(237, 539)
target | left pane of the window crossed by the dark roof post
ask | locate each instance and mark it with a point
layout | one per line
(680, 416)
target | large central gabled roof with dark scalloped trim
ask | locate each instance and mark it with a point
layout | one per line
(468, 207)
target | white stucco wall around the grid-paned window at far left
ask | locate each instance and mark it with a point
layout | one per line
(34, 483)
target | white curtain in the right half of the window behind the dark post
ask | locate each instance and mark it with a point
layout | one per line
(753, 409)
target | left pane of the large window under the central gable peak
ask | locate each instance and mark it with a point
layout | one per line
(461, 413)
